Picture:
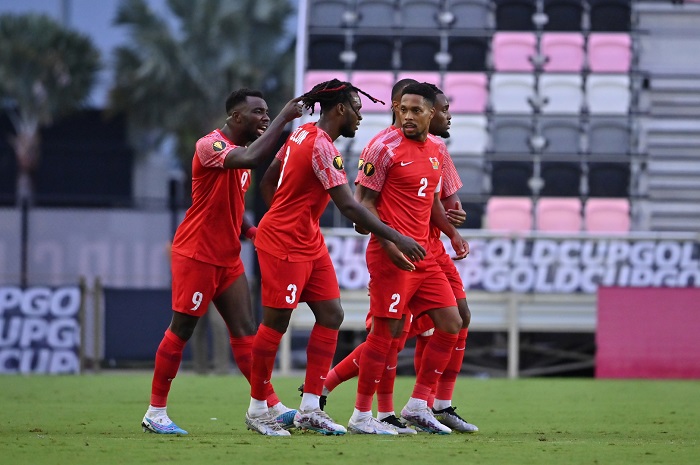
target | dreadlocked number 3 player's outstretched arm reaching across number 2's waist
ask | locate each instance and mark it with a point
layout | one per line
(343, 198)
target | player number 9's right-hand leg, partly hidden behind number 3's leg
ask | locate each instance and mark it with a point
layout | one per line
(235, 307)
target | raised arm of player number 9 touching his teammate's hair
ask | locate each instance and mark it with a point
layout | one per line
(263, 146)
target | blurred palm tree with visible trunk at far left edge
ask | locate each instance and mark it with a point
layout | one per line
(46, 71)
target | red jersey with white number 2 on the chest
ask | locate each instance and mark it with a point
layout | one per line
(407, 174)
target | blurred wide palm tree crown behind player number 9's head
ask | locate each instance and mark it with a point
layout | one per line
(173, 82)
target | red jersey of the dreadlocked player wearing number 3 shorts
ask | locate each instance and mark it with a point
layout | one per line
(311, 165)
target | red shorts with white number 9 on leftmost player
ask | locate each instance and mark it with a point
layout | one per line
(195, 283)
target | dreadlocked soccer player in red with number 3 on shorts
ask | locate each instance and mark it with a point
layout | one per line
(294, 262)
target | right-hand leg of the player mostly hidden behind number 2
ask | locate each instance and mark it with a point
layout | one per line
(442, 406)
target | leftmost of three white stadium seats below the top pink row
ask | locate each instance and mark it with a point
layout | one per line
(510, 93)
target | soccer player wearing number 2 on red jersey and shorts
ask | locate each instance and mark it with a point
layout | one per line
(400, 181)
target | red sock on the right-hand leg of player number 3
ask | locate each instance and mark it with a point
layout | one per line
(319, 357)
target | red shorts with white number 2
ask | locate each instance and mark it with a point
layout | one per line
(393, 291)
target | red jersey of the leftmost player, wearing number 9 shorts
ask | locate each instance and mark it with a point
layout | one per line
(212, 225)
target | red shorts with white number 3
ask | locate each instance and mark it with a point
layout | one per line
(285, 283)
